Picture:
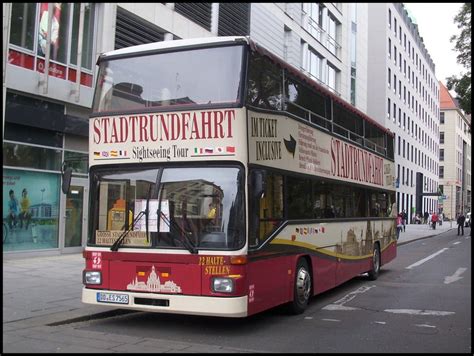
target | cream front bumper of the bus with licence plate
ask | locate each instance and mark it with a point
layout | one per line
(233, 307)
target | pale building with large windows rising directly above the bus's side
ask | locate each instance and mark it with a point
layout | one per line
(328, 41)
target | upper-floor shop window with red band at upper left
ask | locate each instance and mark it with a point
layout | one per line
(28, 38)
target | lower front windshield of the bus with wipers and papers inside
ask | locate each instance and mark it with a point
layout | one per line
(189, 208)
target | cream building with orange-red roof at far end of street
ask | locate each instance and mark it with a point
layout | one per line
(455, 157)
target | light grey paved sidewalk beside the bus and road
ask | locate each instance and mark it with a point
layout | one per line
(43, 290)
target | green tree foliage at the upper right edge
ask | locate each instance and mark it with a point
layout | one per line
(462, 85)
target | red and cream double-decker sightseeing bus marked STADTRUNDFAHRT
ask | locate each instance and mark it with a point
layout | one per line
(224, 182)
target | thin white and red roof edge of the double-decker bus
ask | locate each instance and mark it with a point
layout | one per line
(196, 42)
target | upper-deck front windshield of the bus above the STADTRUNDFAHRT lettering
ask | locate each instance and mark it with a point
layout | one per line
(206, 76)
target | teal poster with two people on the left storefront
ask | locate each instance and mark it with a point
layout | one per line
(30, 210)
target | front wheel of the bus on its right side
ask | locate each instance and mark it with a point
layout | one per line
(302, 287)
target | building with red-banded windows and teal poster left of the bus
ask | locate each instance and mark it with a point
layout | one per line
(47, 103)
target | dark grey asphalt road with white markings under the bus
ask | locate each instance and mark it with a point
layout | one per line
(421, 302)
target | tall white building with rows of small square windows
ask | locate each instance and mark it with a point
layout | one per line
(403, 94)
